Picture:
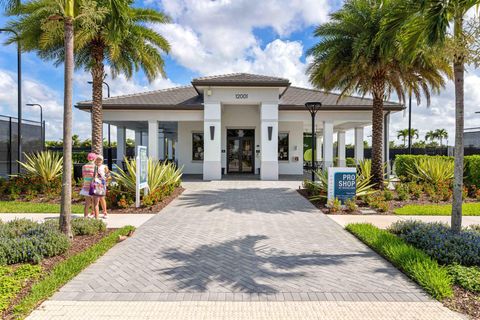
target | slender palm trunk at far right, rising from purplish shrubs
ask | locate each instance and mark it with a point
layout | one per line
(458, 72)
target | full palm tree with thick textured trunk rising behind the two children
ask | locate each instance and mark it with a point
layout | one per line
(121, 38)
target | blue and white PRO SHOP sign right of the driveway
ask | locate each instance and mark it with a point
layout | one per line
(342, 183)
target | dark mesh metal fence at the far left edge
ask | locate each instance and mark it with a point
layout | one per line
(32, 141)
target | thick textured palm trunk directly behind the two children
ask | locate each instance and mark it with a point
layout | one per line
(97, 96)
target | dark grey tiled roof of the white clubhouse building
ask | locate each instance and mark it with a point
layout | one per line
(188, 97)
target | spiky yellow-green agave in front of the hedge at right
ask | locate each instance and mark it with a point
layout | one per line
(433, 170)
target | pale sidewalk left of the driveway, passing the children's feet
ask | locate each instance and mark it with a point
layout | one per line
(113, 221)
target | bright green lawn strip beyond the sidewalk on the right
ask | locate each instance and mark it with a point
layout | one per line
(469, 209)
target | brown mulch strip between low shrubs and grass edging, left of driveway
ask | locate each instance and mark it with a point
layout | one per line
(79, 244)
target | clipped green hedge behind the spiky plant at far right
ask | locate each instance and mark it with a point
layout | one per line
(471, 165)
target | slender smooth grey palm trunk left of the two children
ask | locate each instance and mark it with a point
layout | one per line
(66, 199)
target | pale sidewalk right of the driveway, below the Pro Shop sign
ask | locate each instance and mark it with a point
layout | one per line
(384, 221)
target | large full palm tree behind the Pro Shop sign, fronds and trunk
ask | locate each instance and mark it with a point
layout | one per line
(352, 57)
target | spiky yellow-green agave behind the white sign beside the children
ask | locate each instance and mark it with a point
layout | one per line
(159, 174)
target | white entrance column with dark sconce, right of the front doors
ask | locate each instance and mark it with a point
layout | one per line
(269, 145)
